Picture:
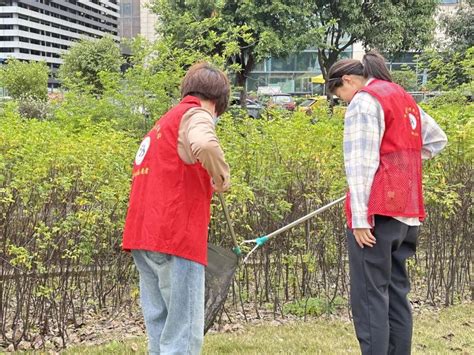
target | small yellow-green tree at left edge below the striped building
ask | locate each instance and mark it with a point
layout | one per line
(25, 79)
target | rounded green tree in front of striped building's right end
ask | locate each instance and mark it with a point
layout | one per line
(86, 59)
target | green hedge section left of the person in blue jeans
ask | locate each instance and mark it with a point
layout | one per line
(63, 196)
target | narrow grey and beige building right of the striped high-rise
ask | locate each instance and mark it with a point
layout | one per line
(137, 19)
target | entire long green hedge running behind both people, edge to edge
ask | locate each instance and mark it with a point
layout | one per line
(64, 189)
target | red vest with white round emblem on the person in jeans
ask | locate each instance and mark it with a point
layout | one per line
(169, 207)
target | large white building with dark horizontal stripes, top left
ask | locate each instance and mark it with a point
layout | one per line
(43, 29)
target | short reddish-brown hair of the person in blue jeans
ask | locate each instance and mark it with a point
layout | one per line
(207, 82)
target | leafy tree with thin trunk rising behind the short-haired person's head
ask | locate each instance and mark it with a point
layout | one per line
(243, 32)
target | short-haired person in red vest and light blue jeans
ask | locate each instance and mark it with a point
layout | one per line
(176, 169)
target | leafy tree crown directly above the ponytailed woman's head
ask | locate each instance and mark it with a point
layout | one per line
(389, 26)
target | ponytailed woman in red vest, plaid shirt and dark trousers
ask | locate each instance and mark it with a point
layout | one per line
(386, 136)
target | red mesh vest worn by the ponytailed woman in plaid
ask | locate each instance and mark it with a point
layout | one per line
(396, 190)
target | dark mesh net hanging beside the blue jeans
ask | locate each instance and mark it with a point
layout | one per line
(220, 270)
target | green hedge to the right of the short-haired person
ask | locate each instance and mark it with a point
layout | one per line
(285, 168)
